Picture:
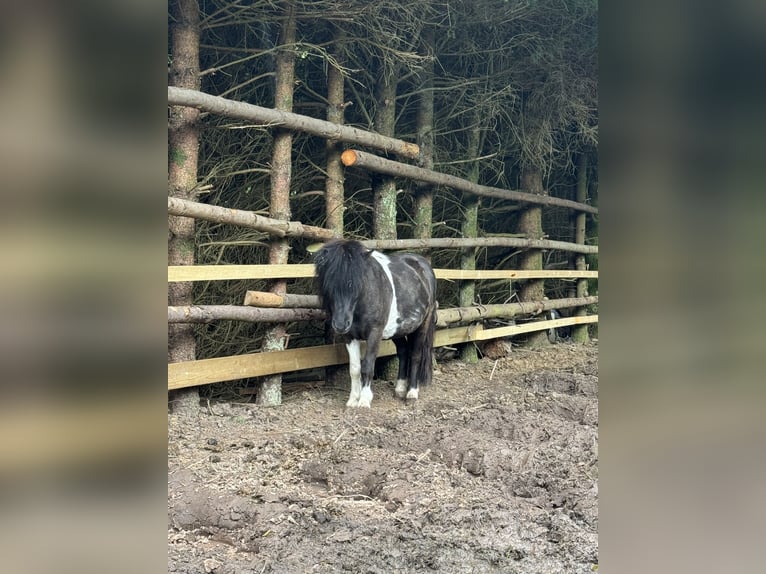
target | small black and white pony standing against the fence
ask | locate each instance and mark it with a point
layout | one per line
(370, 296)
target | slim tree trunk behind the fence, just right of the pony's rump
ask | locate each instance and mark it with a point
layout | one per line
(470, 229)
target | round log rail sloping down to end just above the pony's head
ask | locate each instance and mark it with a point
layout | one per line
(275, 227)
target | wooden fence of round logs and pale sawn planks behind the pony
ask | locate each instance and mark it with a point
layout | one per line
(458, 325)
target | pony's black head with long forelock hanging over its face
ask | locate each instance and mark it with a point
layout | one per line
(340, 276)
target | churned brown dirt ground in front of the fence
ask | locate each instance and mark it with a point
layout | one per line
(494, 469)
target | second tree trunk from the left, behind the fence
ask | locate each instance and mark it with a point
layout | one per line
(270, 391)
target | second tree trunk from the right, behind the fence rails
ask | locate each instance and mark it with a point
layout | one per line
(530, 223)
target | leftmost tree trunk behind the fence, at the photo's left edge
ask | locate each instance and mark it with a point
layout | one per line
(183, 144)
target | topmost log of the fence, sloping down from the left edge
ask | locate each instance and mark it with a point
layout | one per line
(292, 121)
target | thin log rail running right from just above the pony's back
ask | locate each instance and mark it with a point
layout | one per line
(450, 242)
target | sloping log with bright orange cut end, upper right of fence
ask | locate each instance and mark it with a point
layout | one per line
(377, 164)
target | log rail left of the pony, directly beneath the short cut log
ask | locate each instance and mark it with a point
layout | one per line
(210, 313)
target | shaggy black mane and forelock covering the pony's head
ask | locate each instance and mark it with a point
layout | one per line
(340, 268)
